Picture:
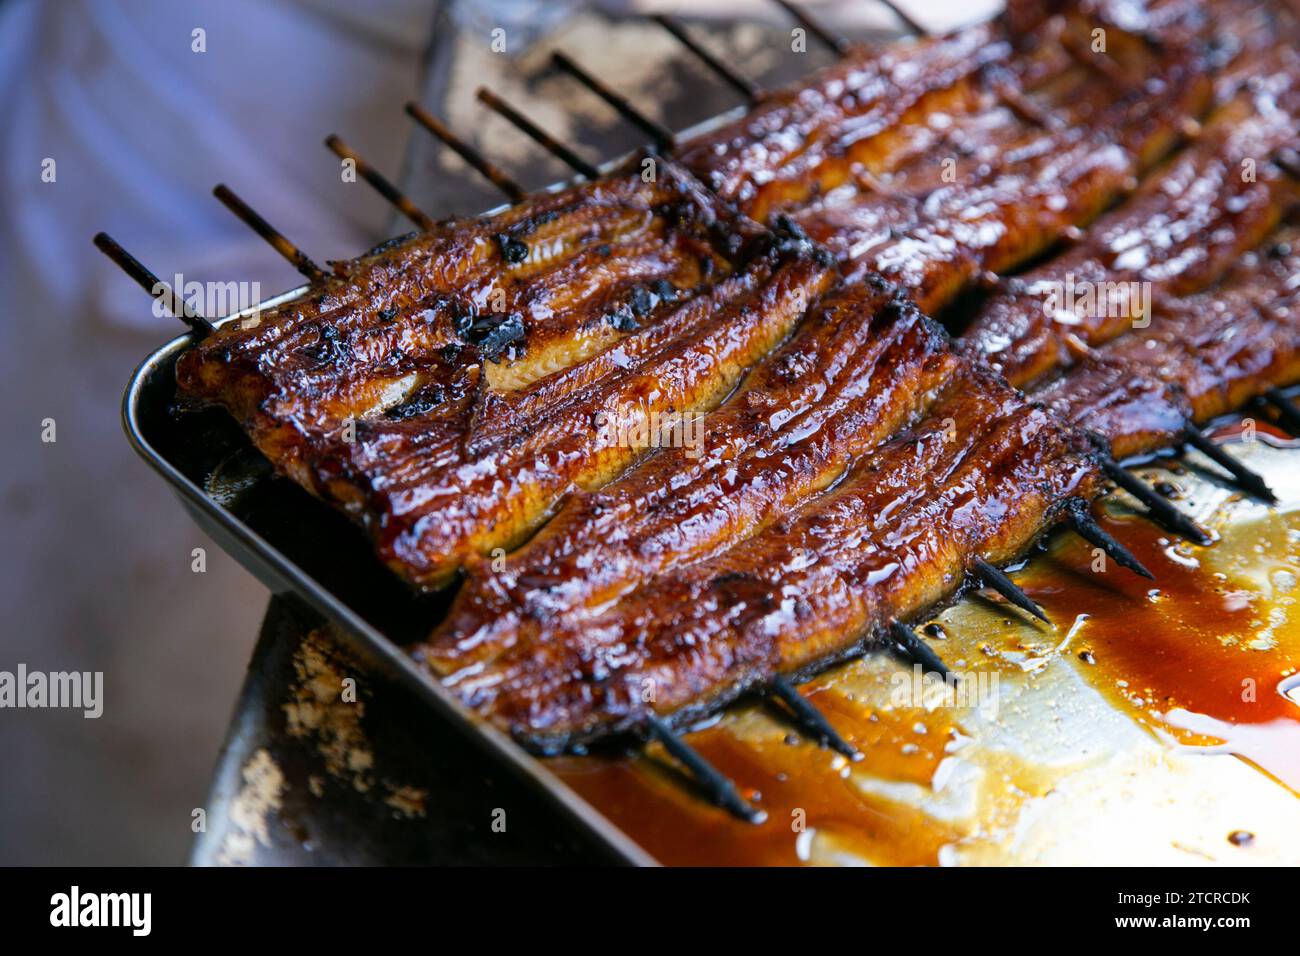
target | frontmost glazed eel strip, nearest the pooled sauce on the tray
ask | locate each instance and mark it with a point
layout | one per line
(981, 475)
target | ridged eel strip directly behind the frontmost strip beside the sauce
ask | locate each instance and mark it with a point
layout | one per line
(864, 365)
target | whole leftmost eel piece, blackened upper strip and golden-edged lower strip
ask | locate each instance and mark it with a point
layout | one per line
(380, 395)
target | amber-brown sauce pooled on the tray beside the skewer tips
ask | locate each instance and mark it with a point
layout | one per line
(1207, 659)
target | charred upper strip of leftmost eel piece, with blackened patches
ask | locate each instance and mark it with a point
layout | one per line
(517, 296)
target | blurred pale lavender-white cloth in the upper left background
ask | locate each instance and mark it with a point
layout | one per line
(142, 127)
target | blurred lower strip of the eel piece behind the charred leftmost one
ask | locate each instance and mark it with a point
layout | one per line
(998, 214)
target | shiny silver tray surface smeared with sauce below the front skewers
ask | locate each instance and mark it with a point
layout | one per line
(1151, 725)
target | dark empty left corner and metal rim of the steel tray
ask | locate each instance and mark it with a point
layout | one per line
(296, 544)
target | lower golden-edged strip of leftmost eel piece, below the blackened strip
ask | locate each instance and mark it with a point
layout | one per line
(435, 512)
